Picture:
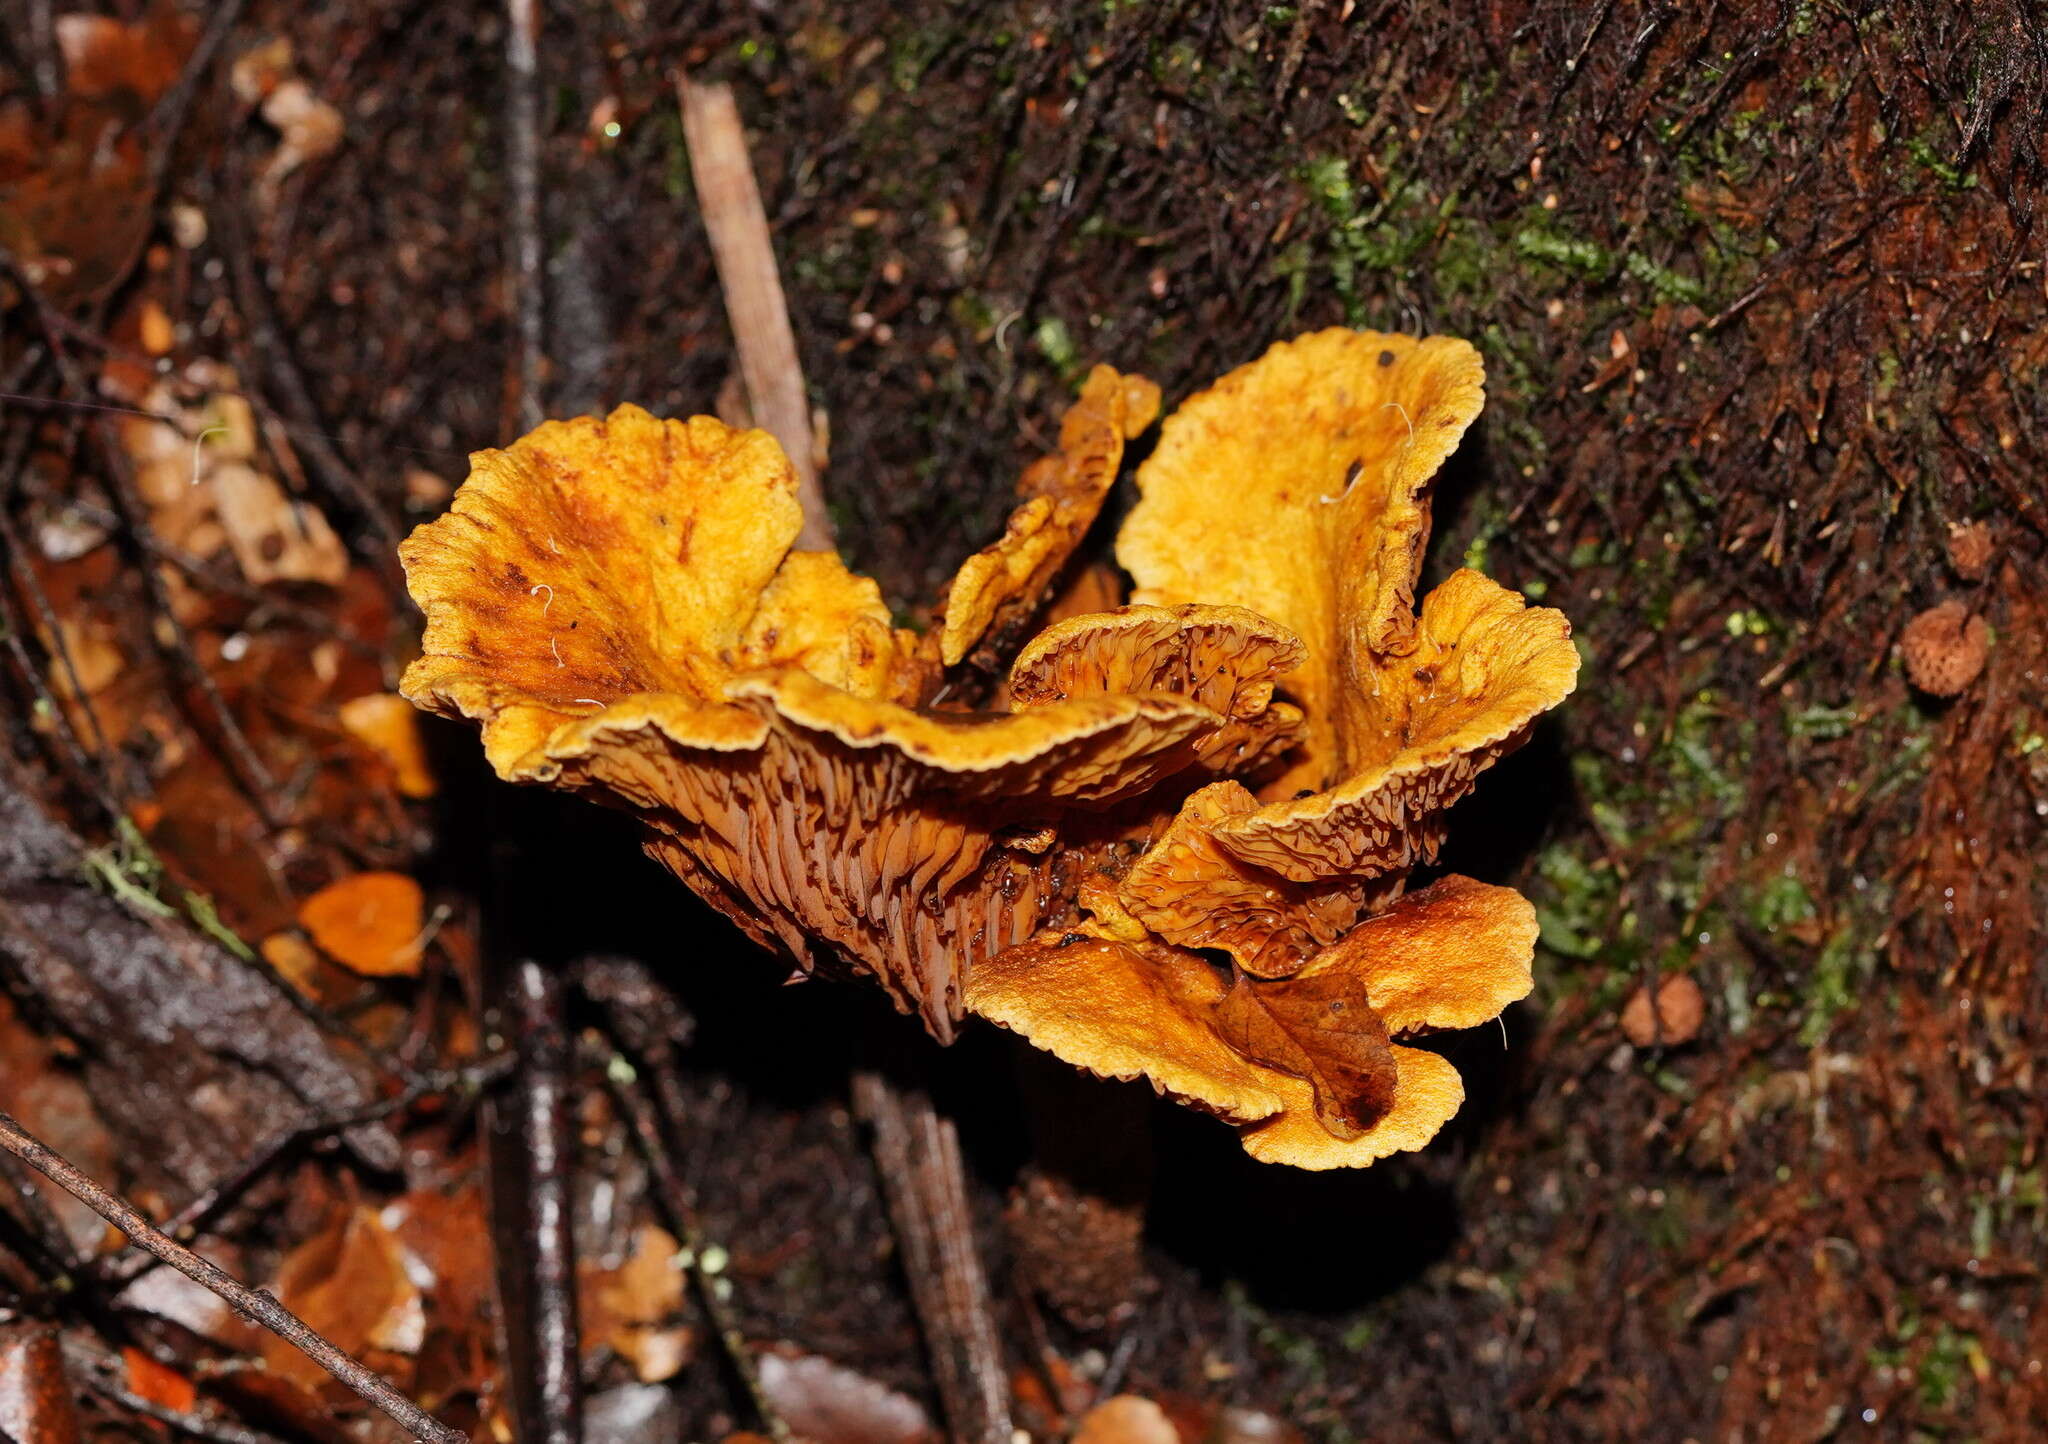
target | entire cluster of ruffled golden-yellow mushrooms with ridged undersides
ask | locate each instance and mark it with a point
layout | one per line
(1170, 843)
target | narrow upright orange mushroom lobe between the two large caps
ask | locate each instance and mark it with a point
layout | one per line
(1002, 585)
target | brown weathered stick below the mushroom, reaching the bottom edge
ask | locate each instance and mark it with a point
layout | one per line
(919, 1158)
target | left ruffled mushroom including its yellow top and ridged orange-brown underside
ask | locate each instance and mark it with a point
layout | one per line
(617, 603)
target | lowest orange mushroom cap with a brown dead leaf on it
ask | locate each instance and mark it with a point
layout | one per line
(1308, 1062)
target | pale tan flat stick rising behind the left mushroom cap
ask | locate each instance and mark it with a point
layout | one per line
(755, 304)
